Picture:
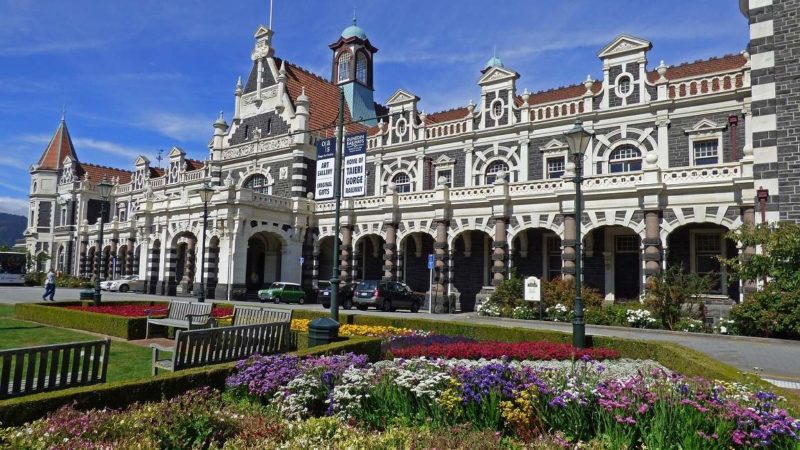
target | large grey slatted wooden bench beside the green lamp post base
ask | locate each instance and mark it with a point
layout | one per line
(196, 348)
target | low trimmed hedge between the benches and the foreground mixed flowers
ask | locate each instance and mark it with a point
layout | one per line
(121, 394)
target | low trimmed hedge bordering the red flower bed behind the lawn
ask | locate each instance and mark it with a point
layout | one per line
(123, 327)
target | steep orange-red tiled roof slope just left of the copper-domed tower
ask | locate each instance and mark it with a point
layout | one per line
(324, 97)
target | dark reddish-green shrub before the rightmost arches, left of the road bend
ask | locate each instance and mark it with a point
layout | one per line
(672, 291)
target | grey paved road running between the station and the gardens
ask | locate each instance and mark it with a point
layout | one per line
(770, 358)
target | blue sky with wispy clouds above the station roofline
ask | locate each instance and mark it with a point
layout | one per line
(138, 76)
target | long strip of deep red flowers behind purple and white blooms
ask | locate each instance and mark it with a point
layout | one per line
(514, 350)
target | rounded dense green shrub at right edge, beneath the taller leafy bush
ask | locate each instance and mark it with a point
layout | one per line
(768, 313)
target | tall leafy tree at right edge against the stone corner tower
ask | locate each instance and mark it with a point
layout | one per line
(780, 259)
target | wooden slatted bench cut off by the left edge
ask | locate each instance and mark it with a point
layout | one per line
(29, 370)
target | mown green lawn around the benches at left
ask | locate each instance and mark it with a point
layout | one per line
(126, 361)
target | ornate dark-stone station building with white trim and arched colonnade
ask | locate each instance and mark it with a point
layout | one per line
(678, 157)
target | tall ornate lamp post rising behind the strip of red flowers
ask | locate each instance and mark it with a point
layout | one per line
(578, 140)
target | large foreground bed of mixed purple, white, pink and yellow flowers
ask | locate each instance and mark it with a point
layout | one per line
(345, 402)
